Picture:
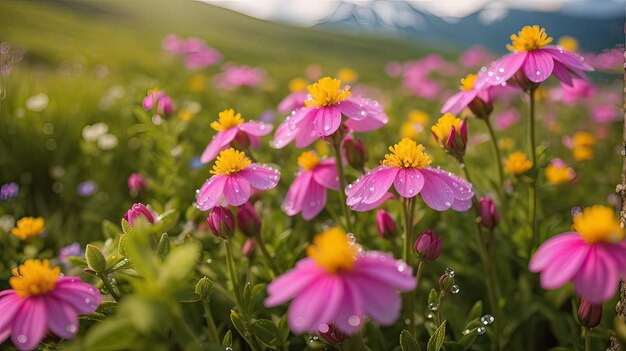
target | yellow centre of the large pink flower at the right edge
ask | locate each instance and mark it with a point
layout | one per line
(598, 223)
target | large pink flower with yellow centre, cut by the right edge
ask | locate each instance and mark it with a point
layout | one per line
(593, 256)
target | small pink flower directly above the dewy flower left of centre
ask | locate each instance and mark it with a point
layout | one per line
(231, 127)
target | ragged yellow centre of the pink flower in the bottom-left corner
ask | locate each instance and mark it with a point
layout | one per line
(34, 277)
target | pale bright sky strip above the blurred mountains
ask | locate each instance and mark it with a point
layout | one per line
(309, 12)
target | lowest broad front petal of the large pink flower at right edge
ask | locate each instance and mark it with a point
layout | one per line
(598, 278)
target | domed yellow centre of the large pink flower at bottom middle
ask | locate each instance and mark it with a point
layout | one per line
(332, 250)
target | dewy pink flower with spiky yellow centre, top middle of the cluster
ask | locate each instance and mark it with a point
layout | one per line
(322, 115)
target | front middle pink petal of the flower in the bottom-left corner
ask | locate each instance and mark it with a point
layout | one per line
(30, 324)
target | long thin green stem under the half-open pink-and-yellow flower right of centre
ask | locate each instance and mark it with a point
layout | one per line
(490, 281)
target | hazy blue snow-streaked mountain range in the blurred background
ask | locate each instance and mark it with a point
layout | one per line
(490, 26)
